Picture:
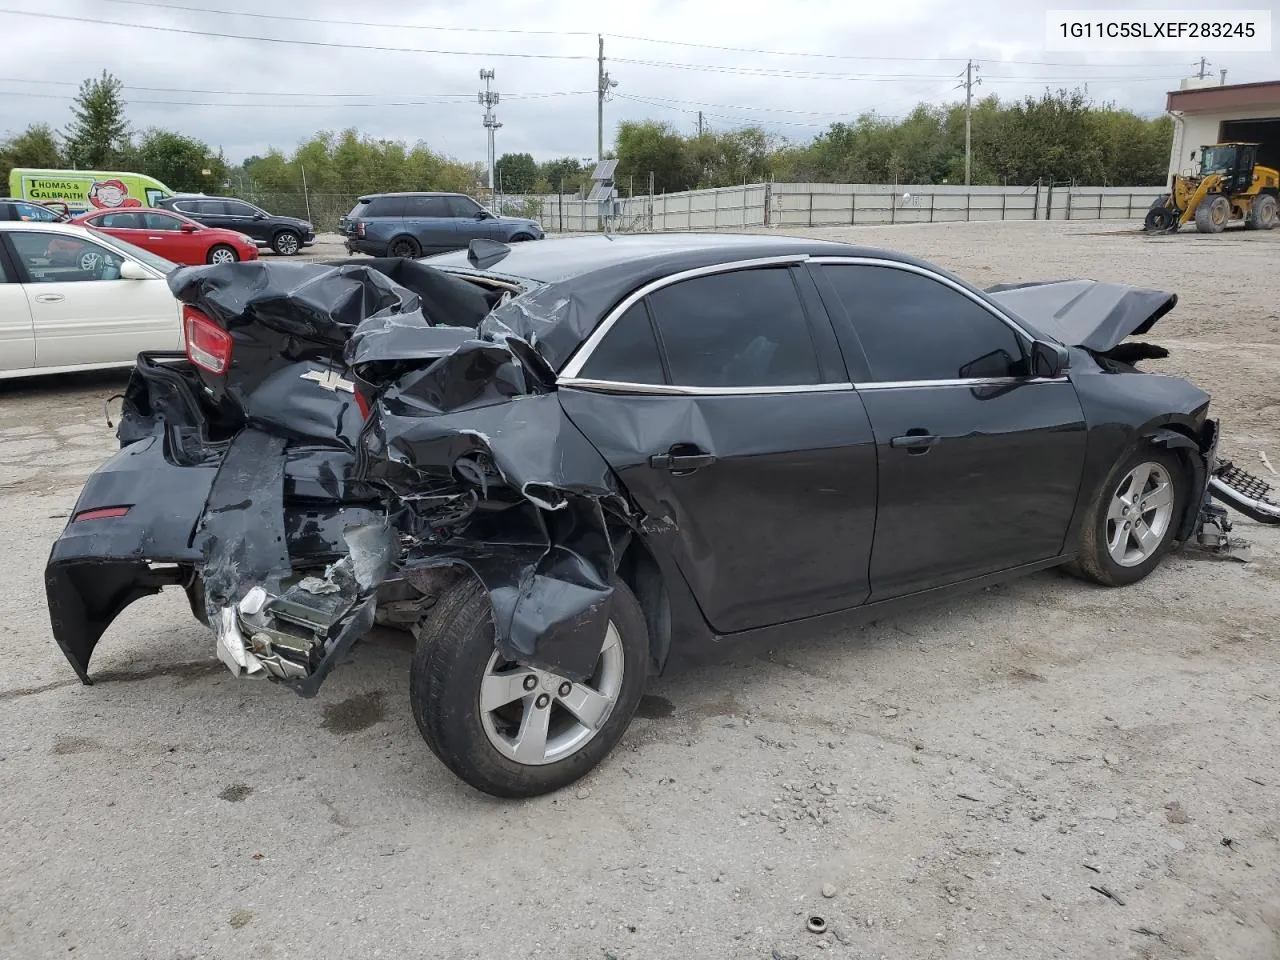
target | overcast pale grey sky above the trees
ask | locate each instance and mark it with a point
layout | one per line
(248, 95)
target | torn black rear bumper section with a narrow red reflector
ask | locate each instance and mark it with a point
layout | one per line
(100, 566)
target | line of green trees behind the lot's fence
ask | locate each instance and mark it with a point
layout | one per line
(1060, 136)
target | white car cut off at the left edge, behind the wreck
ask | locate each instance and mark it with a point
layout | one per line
(74, 299)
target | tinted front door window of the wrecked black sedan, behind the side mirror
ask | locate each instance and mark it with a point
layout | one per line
(916, 328)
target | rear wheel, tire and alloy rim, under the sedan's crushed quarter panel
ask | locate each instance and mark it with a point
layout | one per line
(509, 729)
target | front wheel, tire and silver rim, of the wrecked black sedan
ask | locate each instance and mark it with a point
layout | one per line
(1132, 523)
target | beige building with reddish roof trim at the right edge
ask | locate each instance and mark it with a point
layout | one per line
(1209, 113)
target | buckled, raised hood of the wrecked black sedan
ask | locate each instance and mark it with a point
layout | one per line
(1086, 313)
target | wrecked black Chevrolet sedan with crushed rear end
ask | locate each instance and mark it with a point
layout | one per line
(564, 467)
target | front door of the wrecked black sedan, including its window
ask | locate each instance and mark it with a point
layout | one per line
(980, 464)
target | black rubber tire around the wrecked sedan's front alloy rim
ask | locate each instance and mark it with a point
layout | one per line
(1094, 559)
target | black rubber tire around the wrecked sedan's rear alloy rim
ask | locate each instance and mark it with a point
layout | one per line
(455, 646)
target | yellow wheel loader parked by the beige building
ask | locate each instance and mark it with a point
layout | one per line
(1229, 186)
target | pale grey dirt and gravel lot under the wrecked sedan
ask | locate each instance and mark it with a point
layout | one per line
(1045, 770)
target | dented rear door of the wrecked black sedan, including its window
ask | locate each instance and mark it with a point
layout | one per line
(721, 400)
